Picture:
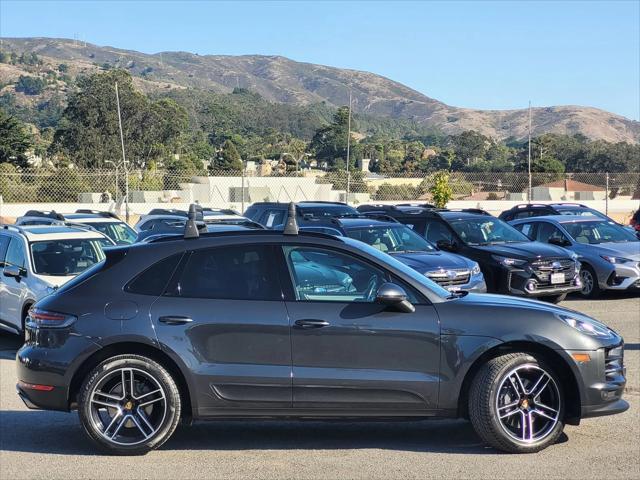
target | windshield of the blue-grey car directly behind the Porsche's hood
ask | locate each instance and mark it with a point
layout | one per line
(391, 239)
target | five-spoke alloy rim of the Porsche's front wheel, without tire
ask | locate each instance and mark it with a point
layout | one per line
(528, 404)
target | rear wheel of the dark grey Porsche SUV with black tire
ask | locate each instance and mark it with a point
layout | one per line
(168, 407)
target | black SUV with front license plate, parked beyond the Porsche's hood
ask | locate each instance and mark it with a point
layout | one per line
(511, 262)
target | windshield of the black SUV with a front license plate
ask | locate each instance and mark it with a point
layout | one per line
(486, 231)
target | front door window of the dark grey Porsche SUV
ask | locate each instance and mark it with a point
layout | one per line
(330, 276)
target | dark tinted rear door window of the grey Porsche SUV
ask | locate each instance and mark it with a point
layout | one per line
(233, 273)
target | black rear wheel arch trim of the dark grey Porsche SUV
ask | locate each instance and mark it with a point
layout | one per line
(135, 348)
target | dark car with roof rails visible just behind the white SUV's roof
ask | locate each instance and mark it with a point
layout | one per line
(107, 223)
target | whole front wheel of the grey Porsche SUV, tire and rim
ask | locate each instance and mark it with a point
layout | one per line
(516, 404)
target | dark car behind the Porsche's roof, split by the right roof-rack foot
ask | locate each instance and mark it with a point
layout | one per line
(274, 215)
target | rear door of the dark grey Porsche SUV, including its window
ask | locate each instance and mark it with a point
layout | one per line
(224, 315)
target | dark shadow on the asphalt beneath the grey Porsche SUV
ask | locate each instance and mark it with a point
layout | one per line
(61, 434)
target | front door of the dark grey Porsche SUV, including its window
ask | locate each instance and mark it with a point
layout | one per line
(350, 352)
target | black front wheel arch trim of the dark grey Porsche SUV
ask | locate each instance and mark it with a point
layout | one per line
(573, 394)
